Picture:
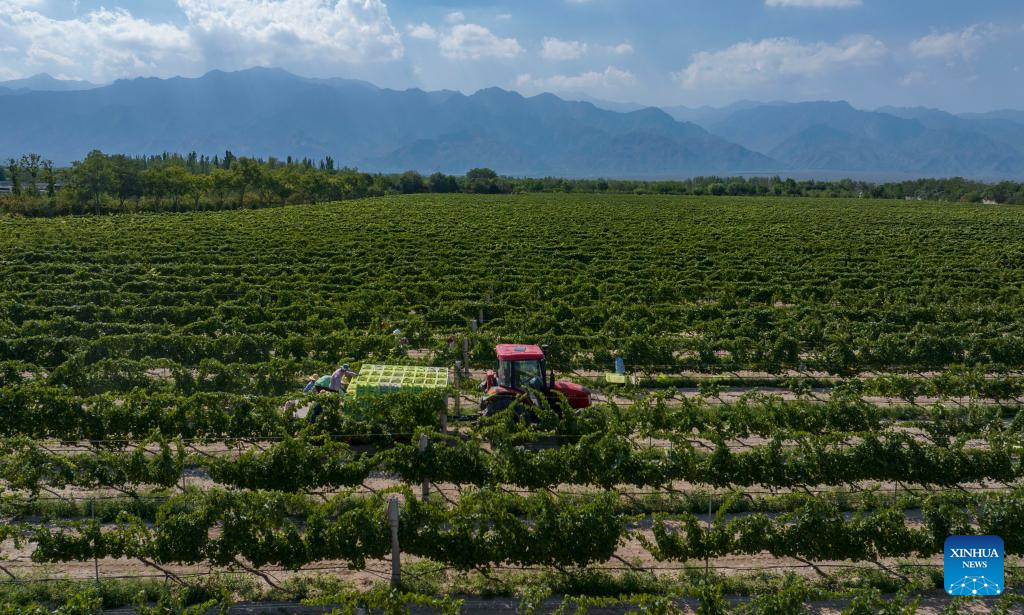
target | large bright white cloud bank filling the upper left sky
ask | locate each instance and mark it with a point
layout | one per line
(106, 45)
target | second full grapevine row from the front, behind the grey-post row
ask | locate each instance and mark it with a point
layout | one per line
(604, 460)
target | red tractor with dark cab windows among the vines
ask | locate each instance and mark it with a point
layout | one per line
(522, 377)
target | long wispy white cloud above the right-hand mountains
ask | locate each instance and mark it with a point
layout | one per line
(750, 64)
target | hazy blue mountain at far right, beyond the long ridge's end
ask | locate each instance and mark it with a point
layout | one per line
(835, 137)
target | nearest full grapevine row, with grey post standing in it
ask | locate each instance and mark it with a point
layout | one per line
(488, 529)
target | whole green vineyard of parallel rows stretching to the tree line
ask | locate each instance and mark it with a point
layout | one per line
(821, 392)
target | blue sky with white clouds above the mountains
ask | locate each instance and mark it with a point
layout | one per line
(961, 56)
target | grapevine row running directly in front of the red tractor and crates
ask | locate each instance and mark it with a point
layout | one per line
(51, 413)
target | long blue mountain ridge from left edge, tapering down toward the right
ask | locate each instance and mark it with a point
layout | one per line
(265, 112)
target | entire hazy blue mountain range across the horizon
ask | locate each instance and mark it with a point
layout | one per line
(269, 112)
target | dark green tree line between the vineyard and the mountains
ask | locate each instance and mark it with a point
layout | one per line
(104, 184)
